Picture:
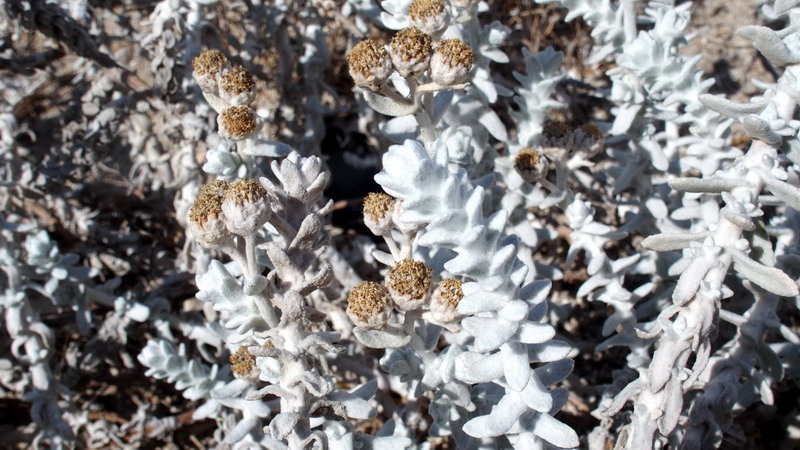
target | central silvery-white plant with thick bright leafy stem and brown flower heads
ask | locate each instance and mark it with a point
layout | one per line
(485, 391)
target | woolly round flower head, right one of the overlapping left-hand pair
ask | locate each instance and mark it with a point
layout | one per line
(246, 207)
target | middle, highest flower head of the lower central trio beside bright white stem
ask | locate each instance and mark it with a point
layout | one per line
(409, 282)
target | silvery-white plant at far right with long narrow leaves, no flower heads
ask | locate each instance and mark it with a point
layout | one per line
(720, 237)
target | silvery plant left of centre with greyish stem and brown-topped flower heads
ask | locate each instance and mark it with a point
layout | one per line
(269, 318)
